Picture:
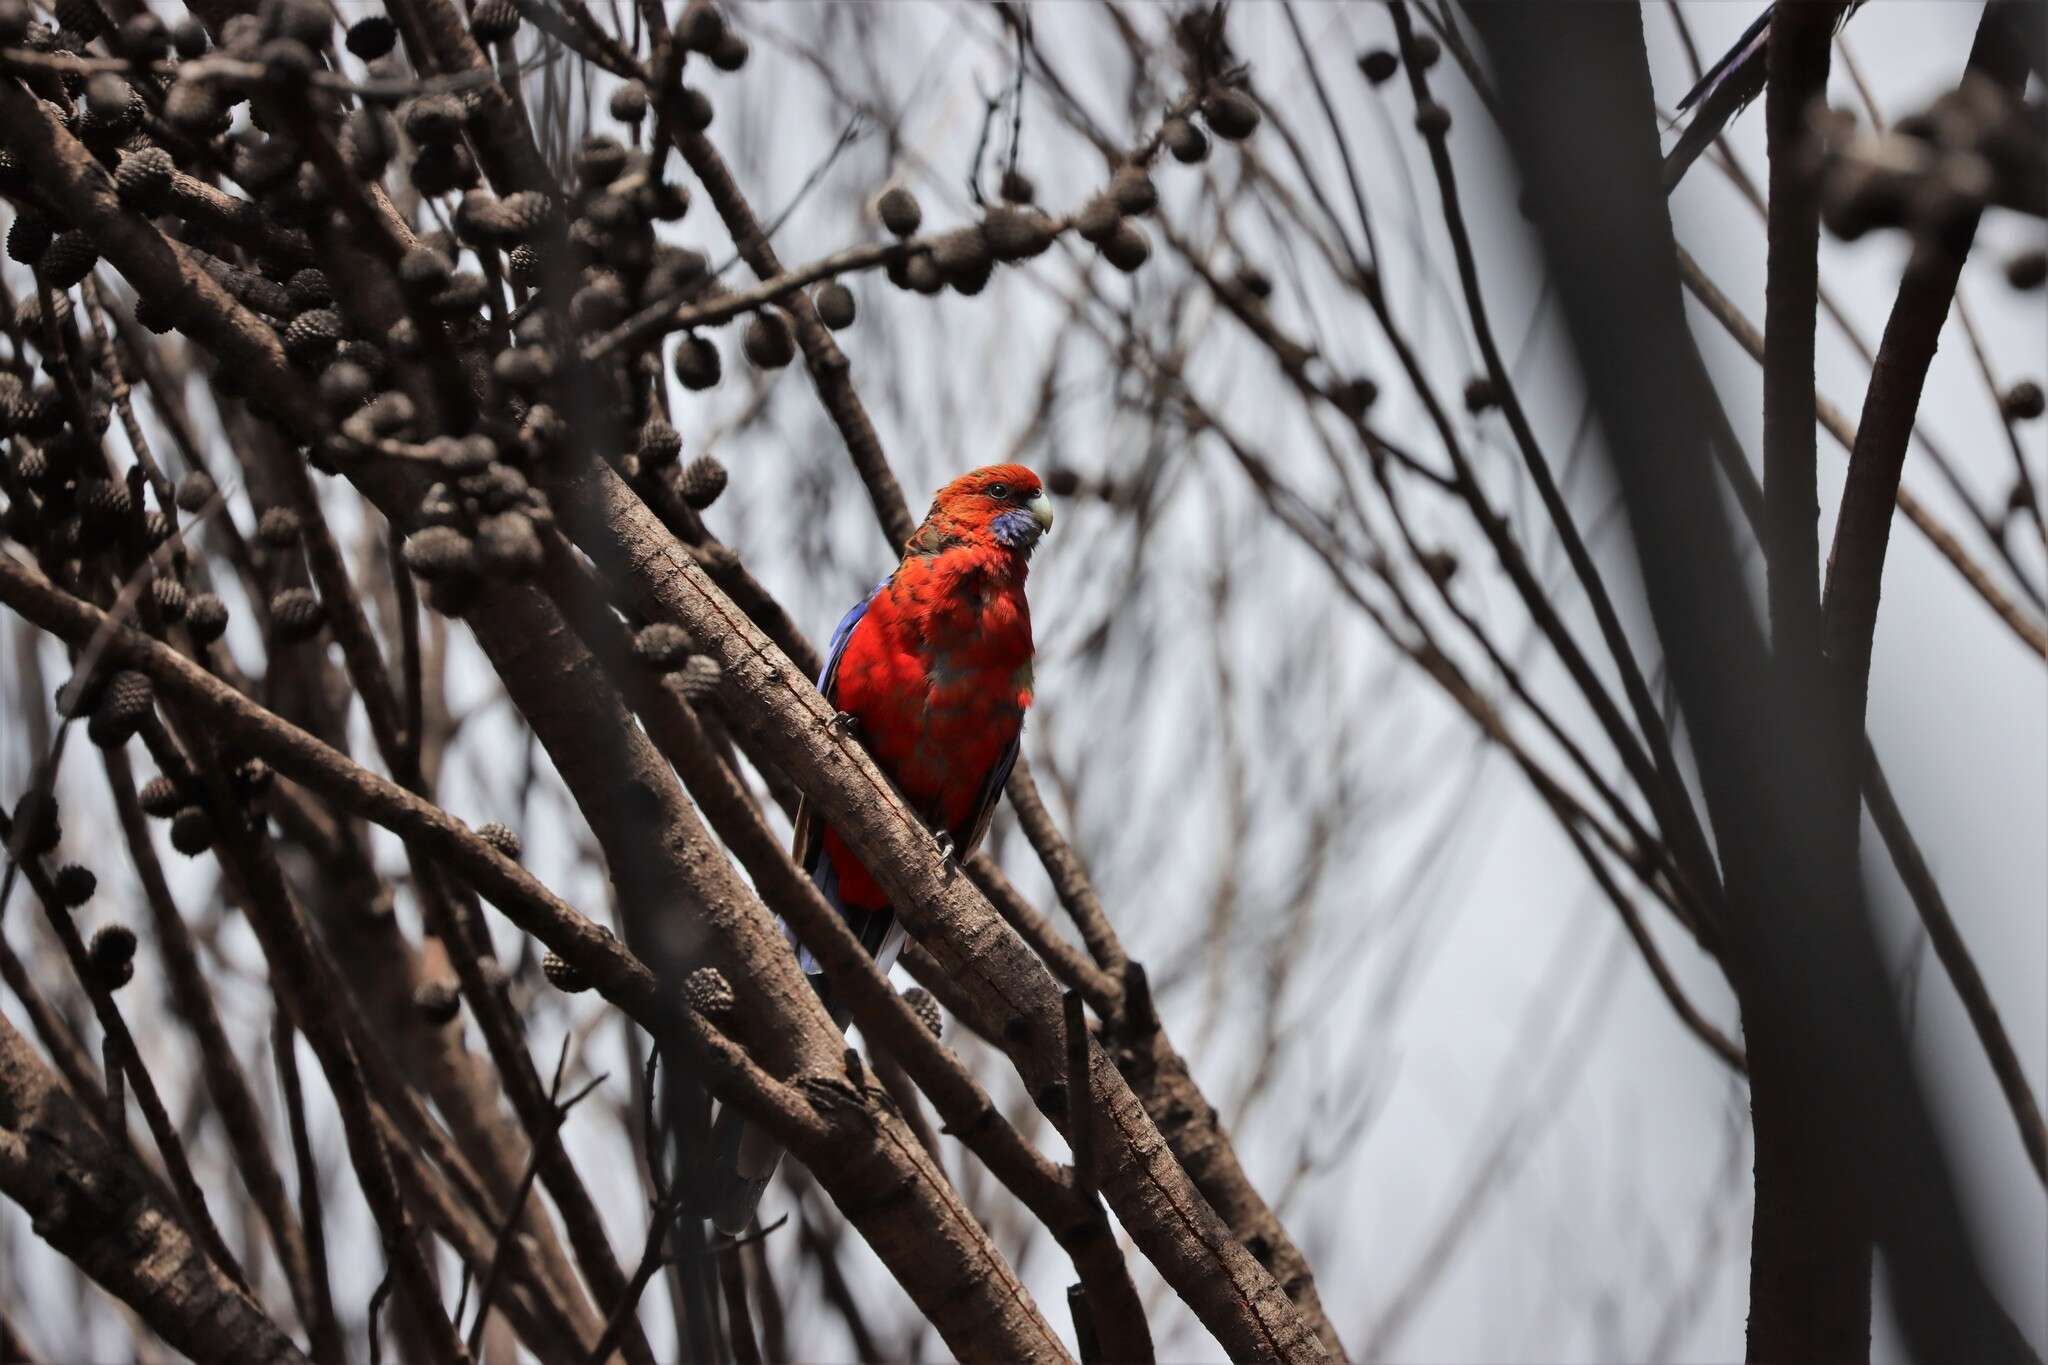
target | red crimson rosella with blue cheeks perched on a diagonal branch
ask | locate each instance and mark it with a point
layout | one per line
(933, 672)
